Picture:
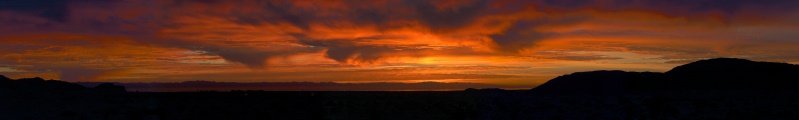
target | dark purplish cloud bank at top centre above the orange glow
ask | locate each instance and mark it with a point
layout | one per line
(360, 12)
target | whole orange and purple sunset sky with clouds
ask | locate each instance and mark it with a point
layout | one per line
(506, 42)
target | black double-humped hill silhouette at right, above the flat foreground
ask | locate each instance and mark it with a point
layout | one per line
(712, 76)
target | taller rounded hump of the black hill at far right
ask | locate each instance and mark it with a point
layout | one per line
(732, 73)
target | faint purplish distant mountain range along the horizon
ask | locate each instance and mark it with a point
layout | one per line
(297, 86)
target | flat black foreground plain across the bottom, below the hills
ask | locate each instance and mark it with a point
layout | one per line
(396, 105)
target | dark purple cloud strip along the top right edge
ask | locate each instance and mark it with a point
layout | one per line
(677, 8)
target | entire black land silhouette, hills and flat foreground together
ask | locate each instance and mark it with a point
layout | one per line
(722, 88)
